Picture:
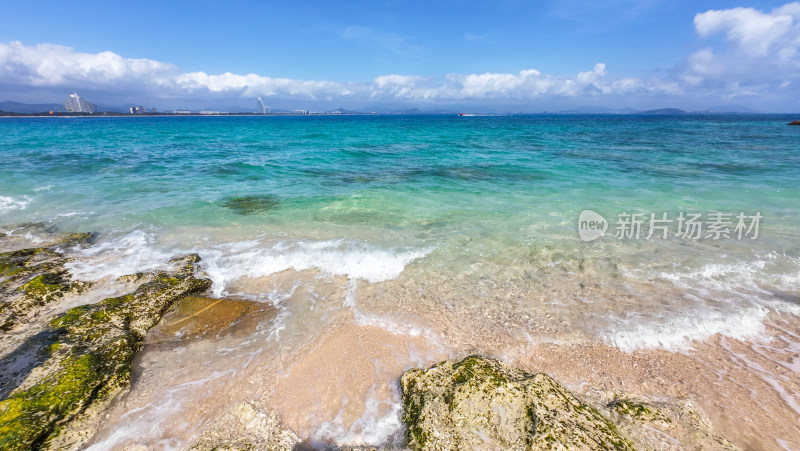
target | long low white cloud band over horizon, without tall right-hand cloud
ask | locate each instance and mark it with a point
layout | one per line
(59, 66)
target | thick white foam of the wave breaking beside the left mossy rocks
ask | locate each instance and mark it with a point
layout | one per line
(138, 251)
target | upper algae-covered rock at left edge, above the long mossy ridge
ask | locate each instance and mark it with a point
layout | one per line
(32, 278)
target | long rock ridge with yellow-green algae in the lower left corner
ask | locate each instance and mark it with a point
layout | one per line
(86, 355)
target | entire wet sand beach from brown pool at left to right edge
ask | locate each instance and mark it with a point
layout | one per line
(342, 387)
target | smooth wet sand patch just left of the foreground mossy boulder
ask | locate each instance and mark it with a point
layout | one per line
(345, 385)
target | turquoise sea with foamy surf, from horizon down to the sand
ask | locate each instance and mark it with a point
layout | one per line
(462, 229)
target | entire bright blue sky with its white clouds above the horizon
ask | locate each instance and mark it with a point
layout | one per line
(307, 54)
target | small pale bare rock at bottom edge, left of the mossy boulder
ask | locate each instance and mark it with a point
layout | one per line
(247, 427)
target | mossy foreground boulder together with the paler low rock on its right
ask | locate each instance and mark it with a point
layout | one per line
(480, 403)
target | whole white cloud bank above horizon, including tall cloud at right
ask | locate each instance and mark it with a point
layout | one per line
(754, 61)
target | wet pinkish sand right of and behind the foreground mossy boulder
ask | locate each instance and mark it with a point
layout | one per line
(748, 390)
